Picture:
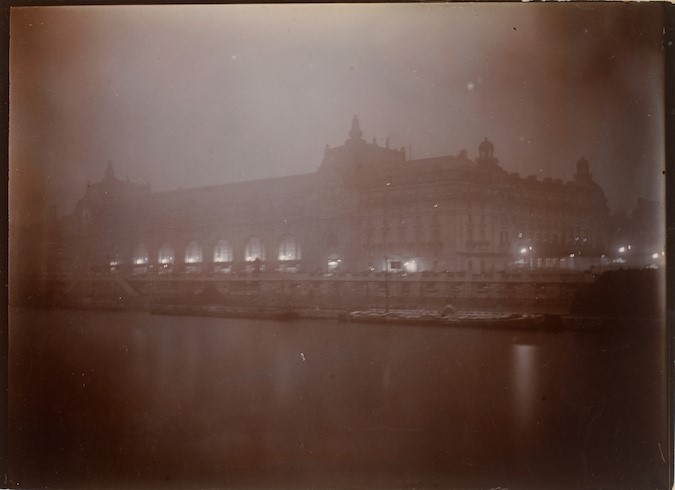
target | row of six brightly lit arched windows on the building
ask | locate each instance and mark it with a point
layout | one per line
(289, 250)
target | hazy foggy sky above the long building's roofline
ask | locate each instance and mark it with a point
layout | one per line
(184, 96)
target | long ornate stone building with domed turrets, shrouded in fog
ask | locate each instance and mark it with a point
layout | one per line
(365, 206)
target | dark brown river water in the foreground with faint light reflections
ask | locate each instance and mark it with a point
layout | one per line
(103, 399)
